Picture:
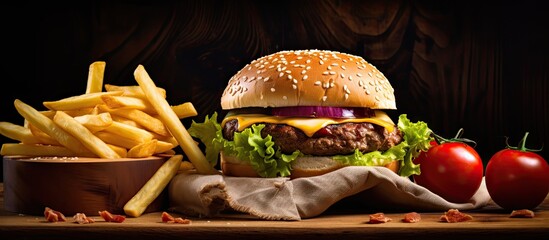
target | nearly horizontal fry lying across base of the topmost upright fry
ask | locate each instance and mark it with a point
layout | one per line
(89, 100)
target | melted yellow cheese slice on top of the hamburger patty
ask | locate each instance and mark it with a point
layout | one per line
(308, 125)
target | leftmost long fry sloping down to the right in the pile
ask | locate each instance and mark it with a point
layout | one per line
(49, 127)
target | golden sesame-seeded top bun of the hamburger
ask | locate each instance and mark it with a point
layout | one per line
(309, 78)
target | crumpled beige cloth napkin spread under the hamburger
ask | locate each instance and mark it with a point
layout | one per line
(295, 199)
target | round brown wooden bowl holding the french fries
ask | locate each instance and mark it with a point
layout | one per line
(77, 185)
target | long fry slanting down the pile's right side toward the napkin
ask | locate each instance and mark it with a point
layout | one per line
(172, 122)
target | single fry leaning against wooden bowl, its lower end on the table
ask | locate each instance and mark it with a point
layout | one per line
(153, 187)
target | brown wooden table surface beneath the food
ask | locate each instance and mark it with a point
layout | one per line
(488, 223)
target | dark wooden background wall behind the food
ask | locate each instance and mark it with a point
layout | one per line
(478, 65)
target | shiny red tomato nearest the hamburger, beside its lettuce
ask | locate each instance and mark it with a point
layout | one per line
(452, 170)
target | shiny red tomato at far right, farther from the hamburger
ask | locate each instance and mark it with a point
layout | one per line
(517, 179)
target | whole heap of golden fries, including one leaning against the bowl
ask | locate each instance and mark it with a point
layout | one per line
(120, 122)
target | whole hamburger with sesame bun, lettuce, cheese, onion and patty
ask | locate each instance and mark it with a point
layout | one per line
(306, 113)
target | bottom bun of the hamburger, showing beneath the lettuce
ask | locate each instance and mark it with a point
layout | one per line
(301, 167)
